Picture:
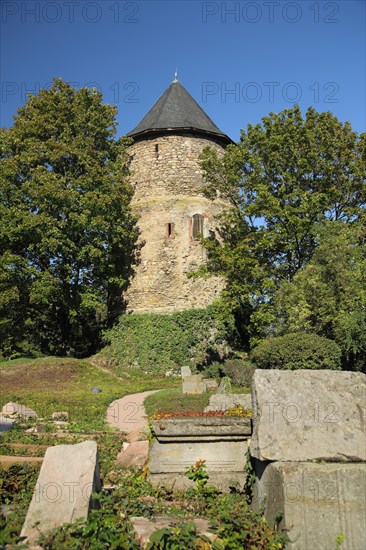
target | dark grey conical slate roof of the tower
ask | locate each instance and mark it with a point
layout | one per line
(176, 110)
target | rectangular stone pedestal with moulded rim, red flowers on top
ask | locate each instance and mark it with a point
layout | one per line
(222, 442)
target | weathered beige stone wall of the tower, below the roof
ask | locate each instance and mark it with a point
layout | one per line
(168, 184)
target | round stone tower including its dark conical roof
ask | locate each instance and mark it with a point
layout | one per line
(170, 204)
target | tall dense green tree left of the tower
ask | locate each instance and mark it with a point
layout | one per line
(67, 236)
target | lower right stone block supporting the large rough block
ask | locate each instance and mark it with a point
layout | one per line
(318, 502)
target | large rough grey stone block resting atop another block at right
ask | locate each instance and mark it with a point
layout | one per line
(309, 415)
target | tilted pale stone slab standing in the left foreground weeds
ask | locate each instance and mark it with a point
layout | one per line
(68, 476)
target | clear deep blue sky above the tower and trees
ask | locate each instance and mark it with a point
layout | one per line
(239, 60)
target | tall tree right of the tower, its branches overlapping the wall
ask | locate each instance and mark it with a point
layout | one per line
(284, 178)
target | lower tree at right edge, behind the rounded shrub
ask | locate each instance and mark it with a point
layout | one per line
(328, 296)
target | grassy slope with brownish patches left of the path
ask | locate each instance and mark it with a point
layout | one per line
(63, 384)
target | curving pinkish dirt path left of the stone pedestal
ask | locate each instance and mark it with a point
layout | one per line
(128, 415)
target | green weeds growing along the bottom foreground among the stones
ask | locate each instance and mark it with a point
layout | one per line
(233, 524)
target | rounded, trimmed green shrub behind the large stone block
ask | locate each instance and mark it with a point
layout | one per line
(297, 351)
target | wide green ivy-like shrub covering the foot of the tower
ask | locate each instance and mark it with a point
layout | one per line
(159, 342)
